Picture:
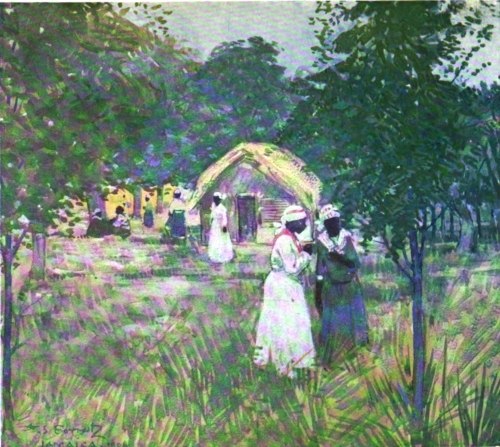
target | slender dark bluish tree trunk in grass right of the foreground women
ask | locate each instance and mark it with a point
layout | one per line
(418, 338)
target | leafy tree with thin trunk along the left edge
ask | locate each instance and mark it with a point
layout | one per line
(63, 101)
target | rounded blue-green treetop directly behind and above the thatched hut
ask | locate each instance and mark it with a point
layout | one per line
(248, 91)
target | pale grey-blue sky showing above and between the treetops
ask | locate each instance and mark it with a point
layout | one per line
(203, 25)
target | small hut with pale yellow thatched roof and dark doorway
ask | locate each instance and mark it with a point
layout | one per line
(259, 180)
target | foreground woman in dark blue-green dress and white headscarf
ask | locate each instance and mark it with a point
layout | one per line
(343, 315)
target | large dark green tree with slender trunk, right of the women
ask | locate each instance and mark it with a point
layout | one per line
(382, 123)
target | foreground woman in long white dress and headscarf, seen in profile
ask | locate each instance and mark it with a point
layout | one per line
(284, 329)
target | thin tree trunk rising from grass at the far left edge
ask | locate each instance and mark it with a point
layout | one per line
(8, 408)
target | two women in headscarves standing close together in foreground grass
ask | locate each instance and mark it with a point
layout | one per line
(284, 335)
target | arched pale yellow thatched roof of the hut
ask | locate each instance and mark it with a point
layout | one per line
(276, 163)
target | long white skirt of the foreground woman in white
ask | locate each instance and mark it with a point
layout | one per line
(284, 335)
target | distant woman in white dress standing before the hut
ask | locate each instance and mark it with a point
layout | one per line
(220, 248)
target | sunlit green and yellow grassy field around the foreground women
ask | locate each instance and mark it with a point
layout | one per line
(140, 344)
